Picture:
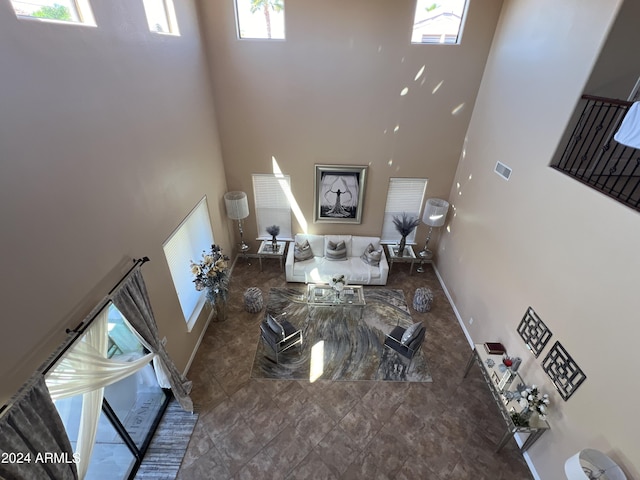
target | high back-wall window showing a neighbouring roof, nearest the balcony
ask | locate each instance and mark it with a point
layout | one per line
(438, 21)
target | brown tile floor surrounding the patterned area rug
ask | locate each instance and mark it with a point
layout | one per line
(269, 429)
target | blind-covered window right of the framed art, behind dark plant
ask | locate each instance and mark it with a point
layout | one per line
(404, 195)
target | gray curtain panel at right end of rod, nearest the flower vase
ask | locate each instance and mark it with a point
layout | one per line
(132, 300)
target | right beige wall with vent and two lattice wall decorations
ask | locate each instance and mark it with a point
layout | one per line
(544, 240)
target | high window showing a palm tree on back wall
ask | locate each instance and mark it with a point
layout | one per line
(260, 18)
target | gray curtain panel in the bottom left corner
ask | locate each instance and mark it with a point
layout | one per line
(33, 441)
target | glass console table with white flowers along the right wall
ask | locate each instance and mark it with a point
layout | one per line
(522, 407)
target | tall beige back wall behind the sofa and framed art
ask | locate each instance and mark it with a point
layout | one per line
(330, 94)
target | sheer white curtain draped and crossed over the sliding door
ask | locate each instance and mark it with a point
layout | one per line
(85, 370)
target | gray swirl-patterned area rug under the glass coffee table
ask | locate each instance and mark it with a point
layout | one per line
(348, 340)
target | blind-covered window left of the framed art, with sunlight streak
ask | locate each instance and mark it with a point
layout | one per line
(272, 204)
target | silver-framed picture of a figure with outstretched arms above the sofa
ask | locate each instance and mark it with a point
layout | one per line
(339, 193)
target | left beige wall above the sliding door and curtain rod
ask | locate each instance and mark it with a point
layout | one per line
(107, 140)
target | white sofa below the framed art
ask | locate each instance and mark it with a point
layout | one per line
(320, 270)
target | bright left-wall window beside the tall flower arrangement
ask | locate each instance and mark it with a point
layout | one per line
(187, 242)
